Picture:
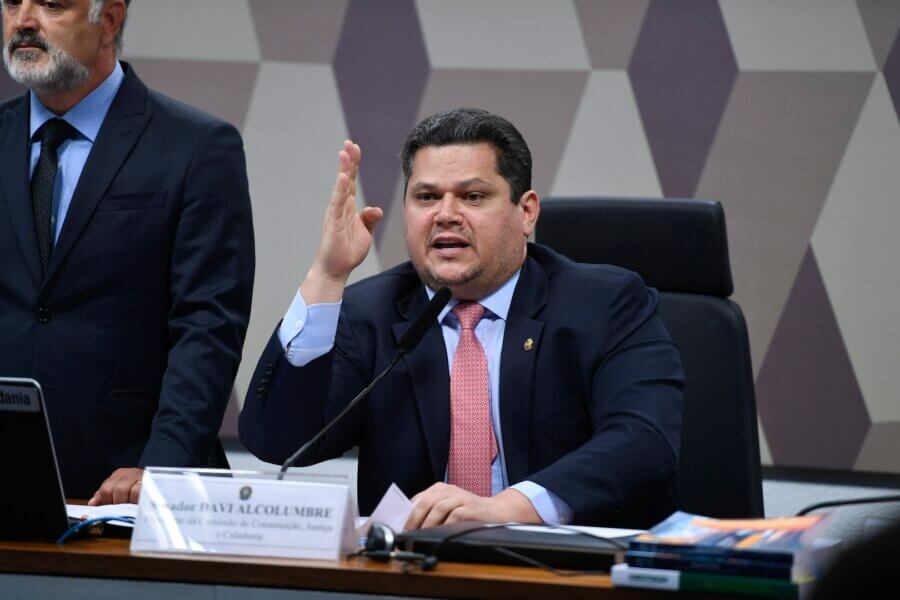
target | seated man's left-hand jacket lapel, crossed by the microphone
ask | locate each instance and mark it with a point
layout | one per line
(427, 367)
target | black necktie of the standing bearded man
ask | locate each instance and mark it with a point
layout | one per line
(51, 135)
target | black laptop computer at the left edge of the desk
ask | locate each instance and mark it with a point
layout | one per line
(32, 502)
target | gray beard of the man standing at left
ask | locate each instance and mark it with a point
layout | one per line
(62, 72)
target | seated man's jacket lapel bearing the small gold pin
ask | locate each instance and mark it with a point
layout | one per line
(517, 367)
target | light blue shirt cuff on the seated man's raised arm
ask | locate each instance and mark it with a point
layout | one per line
(307, 332)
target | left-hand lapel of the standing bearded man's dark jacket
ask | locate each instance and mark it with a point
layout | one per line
(14, 183)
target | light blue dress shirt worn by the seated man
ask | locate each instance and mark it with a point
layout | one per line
(308, 332)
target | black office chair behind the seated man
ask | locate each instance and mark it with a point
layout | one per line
(680, 247)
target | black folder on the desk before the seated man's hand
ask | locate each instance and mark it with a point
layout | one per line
(475, 542)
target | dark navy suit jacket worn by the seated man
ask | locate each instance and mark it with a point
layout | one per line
(592, 411)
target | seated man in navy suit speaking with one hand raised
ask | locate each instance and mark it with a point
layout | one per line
(546, 391)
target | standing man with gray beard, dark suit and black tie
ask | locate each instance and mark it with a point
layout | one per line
(126, 251)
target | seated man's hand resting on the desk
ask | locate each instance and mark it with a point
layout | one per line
(444, 503)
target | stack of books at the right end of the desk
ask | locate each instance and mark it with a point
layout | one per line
(773, 557)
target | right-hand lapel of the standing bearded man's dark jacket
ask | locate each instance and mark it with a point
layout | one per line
(124, 123)
